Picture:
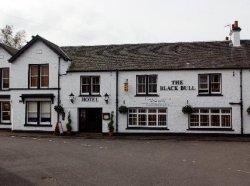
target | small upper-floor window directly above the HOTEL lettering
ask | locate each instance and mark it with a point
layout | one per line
(90, 85)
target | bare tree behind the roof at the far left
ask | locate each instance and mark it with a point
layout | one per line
(8, 37)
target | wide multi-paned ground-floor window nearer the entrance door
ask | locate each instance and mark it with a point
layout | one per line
(147, 117)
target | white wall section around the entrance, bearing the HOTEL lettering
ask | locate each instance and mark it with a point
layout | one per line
(71, 84)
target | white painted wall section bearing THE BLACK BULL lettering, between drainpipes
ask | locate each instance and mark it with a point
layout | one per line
(175, 100)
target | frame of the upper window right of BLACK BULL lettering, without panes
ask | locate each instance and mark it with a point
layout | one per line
(209, 84)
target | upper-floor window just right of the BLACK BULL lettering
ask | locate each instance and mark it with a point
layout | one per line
(209, 83)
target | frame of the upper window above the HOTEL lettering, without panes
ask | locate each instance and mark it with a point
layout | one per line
(90, 86)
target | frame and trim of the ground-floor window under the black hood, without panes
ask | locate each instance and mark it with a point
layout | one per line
(38, 114)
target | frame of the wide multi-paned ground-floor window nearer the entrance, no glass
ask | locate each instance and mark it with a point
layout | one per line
(147, 113)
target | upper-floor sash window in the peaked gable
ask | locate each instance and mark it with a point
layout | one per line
(39, 76)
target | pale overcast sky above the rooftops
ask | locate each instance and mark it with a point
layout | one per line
(91, 22)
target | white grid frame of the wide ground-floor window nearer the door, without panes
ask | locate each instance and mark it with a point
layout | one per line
(147, 113)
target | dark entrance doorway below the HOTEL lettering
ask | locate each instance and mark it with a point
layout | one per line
(90, 120)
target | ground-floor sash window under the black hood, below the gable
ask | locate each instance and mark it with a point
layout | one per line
(38, 112)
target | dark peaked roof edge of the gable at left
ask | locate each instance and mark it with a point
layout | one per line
(51, 45)
